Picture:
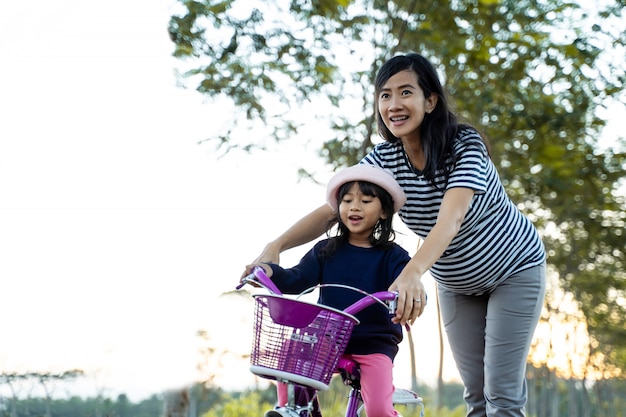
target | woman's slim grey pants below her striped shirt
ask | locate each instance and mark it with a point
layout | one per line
(490, 336)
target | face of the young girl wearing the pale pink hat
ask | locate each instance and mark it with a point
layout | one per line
(360, 213)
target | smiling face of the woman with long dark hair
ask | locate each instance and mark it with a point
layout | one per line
(402, 105)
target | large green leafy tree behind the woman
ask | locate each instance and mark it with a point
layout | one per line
(533, 75)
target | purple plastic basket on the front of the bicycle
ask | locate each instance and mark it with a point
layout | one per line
(297, 341)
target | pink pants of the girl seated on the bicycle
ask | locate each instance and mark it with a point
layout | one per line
(376, 385)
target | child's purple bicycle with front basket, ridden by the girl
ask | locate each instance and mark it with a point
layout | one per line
(302, 344)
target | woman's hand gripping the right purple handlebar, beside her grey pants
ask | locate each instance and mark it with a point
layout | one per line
(411, 296)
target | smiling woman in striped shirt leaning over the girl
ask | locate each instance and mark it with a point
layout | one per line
(485, 255)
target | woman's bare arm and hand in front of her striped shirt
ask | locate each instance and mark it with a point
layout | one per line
(409, 285)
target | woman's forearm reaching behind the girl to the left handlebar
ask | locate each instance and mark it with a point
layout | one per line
(303, 231)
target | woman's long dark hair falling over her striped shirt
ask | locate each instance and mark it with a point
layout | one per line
(439, 126)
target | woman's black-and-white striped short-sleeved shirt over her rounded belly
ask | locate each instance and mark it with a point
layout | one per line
(495, 239)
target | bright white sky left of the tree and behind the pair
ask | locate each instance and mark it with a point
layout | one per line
(118, 231)
